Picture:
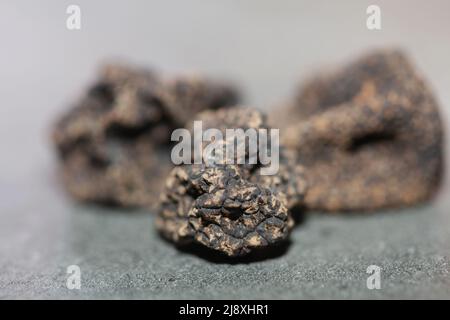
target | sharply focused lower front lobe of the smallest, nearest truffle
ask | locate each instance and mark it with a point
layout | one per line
(217, 208)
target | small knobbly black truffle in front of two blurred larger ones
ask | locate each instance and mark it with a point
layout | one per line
(230, 208)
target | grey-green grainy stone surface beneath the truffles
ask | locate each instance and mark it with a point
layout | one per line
(121, 255)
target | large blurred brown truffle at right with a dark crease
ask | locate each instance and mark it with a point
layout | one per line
(369, 136)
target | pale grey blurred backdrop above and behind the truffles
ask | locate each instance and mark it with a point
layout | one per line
(267, 47)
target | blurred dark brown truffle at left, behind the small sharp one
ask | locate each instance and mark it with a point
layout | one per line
(114, 144)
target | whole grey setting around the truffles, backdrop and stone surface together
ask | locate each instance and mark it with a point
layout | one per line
(267, 47)
